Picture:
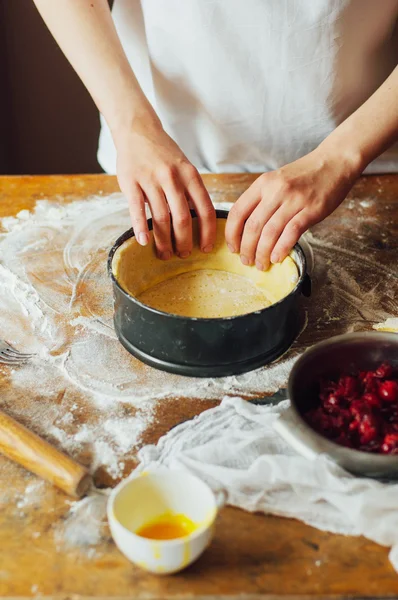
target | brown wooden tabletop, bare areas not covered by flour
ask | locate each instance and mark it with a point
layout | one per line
(252, 555)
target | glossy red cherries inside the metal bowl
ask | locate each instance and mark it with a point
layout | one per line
(359, 411)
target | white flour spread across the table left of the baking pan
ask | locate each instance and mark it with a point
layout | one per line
(83, 391)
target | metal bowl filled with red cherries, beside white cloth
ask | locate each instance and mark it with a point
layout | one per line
(344, 403)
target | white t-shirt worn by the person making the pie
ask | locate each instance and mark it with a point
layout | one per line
(250, 85)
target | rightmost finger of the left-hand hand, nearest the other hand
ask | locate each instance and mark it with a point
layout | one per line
(200, 199)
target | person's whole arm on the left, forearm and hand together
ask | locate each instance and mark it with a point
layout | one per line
(150, 166)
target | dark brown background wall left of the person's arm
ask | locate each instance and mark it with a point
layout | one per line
(48, 122)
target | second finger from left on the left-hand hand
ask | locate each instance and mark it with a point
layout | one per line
(161, 222)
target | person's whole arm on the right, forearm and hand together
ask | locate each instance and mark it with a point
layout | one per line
(269, 218)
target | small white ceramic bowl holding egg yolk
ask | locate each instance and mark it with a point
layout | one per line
(142, 498)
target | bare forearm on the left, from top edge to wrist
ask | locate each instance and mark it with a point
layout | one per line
(86, 34)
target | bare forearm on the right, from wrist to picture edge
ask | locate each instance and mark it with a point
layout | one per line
(370, 130)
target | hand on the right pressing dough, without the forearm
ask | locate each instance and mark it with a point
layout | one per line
(269, 218)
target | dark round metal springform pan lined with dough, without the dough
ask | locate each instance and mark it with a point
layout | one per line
(207, 347)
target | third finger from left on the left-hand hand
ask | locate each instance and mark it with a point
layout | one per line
(180, 218)
